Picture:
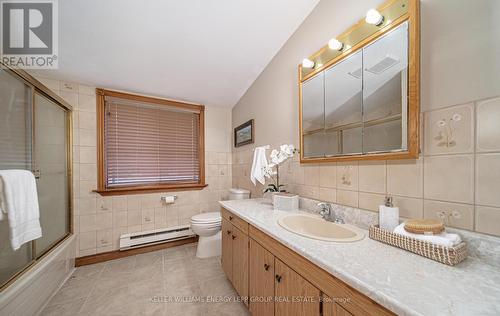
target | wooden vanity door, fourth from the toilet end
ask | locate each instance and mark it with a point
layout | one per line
(294, 294)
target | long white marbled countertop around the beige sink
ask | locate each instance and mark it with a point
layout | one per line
(403, 282)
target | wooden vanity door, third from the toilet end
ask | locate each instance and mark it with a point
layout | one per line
(261, 287)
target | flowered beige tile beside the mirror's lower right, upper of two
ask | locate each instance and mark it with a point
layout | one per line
(449, 130)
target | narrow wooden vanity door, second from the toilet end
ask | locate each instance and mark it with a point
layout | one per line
(240, 262)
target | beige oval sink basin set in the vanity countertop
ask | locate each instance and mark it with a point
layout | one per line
(318, 228)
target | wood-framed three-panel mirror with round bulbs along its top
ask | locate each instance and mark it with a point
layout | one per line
(359, 95)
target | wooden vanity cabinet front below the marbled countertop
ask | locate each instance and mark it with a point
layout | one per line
(279, 281)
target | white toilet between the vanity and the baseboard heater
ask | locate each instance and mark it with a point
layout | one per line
(208, 227)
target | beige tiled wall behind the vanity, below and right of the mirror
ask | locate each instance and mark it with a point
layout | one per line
(456, 178)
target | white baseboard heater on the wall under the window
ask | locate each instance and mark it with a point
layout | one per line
(152, 237)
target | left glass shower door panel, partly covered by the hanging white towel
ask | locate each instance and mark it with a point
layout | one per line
(15, 153)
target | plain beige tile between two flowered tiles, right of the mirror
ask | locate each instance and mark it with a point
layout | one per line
(449, 178)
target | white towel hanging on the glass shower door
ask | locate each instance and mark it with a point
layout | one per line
(20, 204)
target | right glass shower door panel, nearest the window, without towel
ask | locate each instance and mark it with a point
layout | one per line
(50, 152)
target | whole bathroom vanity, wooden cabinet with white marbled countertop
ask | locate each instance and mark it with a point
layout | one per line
(284, 273)
